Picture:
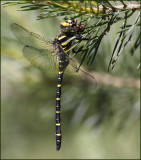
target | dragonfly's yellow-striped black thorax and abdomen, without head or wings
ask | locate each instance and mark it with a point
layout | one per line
(62, 52)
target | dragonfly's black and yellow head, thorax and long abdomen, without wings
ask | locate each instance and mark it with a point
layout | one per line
(62, 43)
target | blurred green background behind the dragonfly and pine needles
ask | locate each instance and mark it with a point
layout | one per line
(101, 123)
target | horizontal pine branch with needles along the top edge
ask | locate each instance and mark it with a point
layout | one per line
(84, 7)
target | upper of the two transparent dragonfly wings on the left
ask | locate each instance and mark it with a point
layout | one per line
(29, 38)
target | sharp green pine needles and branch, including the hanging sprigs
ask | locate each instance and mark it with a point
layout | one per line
(102, 14)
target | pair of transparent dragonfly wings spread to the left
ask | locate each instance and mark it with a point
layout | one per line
(37, 49)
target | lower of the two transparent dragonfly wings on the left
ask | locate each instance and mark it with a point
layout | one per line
(40, 58)
